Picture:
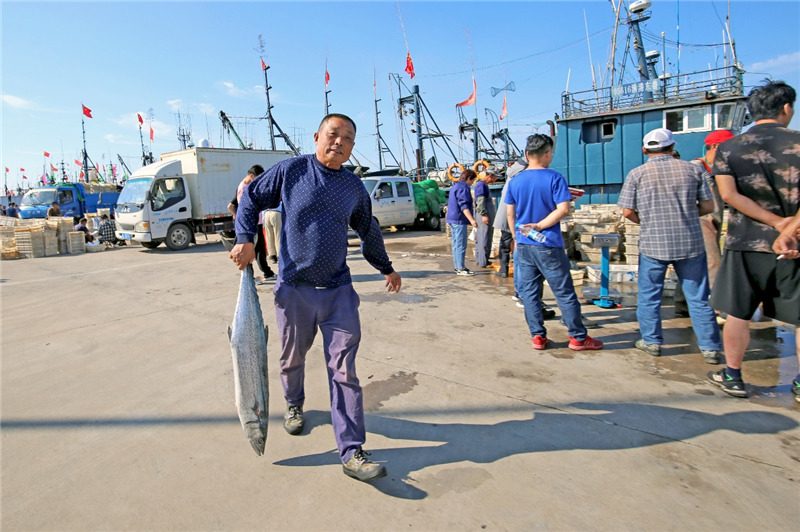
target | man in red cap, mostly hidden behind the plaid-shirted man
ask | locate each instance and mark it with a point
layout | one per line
(711, 224)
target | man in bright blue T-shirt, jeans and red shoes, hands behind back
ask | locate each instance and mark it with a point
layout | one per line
(538, 198)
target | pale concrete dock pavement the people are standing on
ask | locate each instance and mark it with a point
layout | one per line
(118, 409)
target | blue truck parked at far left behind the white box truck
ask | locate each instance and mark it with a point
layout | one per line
(74, 199)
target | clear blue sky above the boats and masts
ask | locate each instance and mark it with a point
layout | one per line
(161, 58)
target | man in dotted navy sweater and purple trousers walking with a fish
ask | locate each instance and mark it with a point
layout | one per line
(314, 290)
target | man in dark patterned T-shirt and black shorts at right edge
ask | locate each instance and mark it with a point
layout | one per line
(758, 174)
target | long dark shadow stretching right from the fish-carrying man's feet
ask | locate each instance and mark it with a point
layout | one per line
(616, 427)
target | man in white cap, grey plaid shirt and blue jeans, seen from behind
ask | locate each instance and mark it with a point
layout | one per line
(667, 196)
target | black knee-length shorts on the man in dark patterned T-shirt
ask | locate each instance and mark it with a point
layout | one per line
(748, 278)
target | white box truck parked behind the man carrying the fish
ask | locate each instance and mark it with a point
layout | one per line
(184, 193)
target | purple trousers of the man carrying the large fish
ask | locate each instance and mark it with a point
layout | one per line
(300, 310)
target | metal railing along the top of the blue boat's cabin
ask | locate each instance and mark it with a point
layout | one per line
(695, 86)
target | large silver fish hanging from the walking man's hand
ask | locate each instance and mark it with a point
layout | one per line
(248, 336)
